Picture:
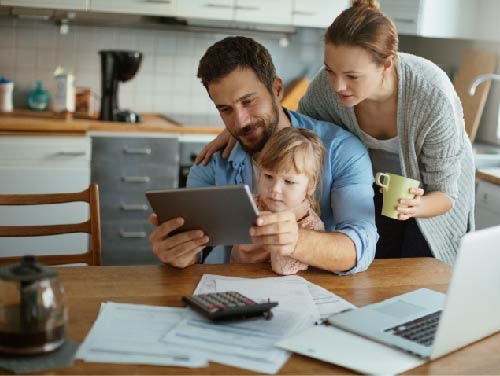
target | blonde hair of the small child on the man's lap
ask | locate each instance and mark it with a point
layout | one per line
(298, 150)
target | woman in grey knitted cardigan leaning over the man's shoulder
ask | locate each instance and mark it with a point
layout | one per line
(407, 113)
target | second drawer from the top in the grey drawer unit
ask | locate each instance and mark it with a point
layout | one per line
(118, 178)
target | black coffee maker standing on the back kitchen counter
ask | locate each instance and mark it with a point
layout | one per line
(117, 66)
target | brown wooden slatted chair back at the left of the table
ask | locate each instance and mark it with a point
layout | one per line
(92, 226)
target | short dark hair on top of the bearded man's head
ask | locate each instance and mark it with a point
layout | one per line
(231, 53)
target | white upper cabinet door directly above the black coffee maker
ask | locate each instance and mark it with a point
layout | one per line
(145, 7)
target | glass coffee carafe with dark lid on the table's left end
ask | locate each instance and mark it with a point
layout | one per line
(33, 313)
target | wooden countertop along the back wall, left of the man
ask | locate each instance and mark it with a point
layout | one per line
(47, 123)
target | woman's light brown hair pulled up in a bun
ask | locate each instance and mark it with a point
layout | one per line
(364, 25)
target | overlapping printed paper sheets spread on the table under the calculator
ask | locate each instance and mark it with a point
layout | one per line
(127, 333)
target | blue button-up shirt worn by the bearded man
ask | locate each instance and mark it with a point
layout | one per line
(345, 193)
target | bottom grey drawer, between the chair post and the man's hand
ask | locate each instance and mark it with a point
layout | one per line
(126, 243)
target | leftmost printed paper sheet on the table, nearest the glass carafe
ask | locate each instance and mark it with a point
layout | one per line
(131, 333)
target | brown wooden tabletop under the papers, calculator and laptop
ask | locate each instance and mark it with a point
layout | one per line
(87, 287)
